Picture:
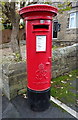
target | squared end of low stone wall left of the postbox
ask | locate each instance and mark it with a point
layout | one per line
(14, 78)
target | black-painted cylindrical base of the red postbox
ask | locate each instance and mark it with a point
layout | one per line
(38, 100)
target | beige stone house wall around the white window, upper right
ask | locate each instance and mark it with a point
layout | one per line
(66, 35)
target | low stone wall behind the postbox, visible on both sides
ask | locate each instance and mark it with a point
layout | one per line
(14, 74)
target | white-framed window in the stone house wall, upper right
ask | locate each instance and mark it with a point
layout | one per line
(73, 20)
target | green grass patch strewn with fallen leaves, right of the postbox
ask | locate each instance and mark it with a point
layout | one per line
(62, 87)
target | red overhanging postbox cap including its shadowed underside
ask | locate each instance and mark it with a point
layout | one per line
(37, 10)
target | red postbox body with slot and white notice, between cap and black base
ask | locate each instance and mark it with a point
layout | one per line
(39, 47)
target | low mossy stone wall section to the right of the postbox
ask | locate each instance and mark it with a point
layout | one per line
(64, 60)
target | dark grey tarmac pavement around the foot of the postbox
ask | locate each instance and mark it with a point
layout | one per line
(18, 108)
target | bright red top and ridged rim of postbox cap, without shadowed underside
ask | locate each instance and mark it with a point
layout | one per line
(37, 8)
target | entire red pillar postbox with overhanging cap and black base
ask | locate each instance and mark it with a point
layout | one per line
(38, 19)
